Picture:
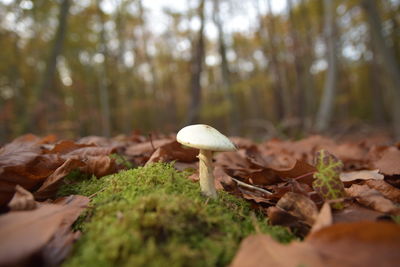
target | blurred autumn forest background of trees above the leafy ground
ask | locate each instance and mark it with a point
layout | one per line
(108, 67)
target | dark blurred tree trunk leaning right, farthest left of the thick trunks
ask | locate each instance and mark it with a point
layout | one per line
(46, 90)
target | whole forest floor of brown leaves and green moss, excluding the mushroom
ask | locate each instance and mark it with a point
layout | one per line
(134, 200)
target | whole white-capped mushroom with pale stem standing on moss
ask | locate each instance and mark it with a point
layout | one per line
(207, 139)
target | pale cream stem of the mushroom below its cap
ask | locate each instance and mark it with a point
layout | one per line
(206, 173)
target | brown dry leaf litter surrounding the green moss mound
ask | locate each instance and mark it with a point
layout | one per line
(297, 184)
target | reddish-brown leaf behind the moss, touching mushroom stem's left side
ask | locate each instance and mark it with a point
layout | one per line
(174, 151)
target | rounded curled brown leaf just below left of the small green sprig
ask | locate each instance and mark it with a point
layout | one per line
(299, 206)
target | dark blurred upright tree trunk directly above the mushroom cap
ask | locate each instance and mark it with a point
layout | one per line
(197, 69)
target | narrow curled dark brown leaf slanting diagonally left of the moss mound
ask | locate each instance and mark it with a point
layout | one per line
(51, 184)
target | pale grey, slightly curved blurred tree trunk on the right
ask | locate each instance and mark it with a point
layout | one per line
(326, 107)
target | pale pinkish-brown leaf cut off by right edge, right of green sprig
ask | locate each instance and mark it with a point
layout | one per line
(389, 163)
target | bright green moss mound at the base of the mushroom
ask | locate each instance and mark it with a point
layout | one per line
(155, 216)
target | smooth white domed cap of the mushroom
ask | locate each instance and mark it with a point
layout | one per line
(205, 137)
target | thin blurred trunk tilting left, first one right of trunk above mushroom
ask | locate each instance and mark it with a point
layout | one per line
(234, 121)
